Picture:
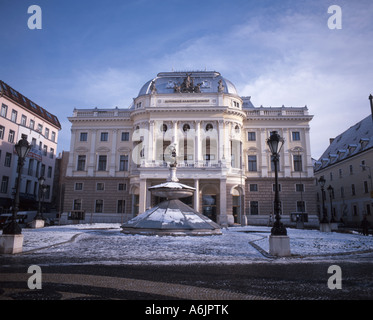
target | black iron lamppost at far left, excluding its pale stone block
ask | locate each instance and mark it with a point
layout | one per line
(22, 148)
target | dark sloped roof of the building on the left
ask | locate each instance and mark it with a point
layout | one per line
(28, 104)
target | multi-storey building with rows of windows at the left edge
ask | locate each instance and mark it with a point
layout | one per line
(20, 115)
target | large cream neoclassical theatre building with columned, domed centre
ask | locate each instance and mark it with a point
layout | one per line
(220, 140)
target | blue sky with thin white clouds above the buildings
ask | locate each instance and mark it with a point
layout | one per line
(99, 53)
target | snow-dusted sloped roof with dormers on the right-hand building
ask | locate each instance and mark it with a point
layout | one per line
(351, 142)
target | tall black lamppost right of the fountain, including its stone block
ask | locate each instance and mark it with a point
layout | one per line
(279, 242)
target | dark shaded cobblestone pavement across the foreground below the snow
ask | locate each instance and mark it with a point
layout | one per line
(66, 276)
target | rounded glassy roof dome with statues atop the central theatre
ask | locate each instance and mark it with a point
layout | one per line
(188, 82)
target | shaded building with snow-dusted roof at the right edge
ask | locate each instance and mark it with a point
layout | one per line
(347, 166)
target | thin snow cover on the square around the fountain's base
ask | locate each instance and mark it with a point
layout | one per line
(105, 244)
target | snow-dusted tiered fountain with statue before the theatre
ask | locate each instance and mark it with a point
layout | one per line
(172, 216)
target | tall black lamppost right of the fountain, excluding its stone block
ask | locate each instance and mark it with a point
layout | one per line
(275, 143)
